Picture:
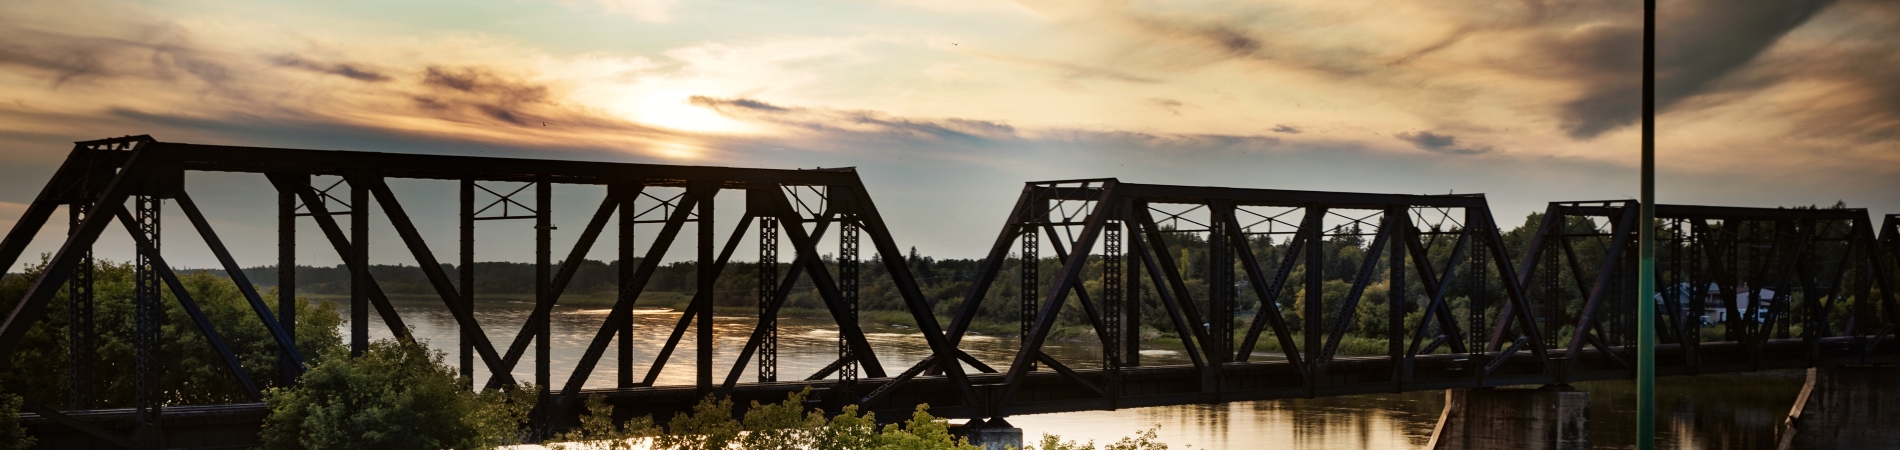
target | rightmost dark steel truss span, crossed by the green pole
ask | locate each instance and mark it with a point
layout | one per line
(1709, 255)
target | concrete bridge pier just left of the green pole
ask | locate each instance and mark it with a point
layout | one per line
(1553, 417)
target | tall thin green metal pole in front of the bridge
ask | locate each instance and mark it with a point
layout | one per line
(1646, 233)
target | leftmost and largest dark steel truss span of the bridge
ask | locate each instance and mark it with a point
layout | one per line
(797, 208)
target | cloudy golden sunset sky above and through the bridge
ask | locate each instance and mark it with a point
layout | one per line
(949, 107)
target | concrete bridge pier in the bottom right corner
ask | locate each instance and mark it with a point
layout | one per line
(1846, 407)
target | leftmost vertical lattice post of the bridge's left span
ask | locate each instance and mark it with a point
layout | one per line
(81, 318)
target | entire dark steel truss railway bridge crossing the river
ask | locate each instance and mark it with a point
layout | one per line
(1798, 288)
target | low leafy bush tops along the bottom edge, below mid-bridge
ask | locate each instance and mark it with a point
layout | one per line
(789, 426)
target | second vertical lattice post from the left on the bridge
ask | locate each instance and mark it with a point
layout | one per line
(151, 314)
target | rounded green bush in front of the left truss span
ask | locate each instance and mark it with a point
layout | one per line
(396, 396)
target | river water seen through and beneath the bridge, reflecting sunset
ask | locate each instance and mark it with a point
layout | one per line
(1738, 411)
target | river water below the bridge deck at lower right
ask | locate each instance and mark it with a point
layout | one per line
(1719, 411)
